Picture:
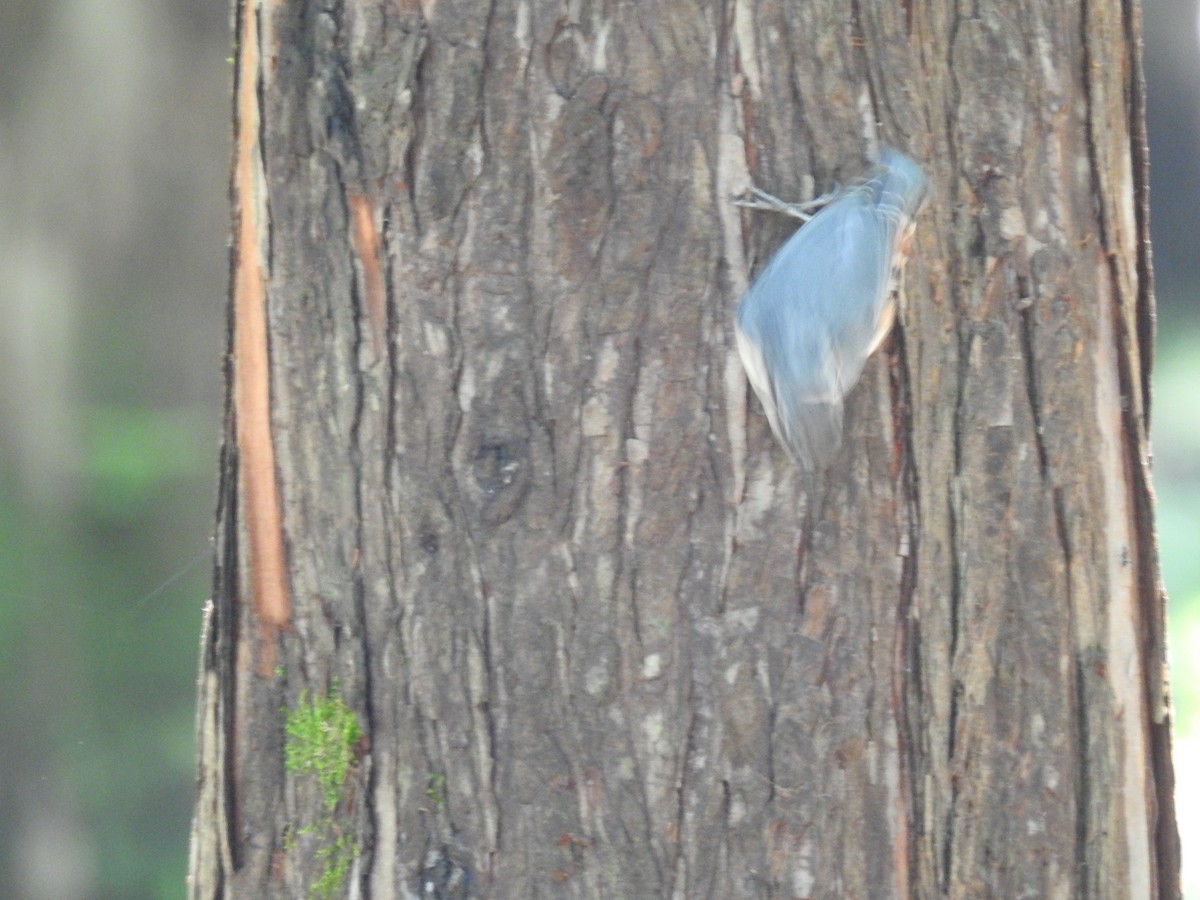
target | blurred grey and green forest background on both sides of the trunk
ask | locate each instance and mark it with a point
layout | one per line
(115, 154)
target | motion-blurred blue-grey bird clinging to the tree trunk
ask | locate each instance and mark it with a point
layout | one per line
(825, 302)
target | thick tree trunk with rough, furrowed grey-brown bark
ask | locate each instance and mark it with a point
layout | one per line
(537, 533)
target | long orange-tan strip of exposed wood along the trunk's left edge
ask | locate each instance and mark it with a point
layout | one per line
(251, 365)
